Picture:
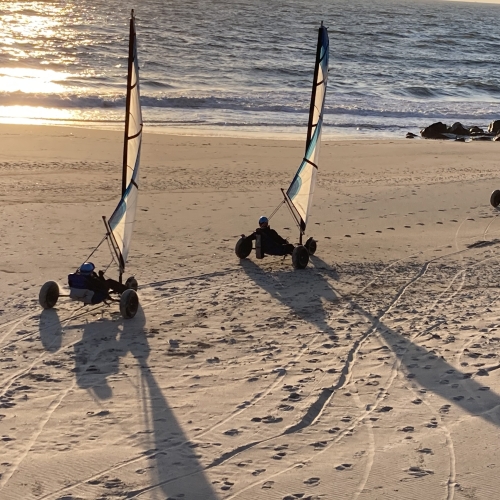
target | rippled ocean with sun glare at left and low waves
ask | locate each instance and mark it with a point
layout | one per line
(244, 68)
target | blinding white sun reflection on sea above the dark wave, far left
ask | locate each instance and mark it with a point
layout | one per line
(31, 80)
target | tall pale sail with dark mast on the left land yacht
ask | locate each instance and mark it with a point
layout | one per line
(122, 221)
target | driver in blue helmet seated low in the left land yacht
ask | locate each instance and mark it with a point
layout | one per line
(88, 287)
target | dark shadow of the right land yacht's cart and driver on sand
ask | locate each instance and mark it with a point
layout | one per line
(304, 292)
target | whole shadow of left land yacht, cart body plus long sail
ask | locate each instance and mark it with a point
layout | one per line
(177, 472)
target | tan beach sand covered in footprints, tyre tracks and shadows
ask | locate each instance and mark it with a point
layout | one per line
(374, 373)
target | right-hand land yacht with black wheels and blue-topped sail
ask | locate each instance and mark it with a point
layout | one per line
(298, 196)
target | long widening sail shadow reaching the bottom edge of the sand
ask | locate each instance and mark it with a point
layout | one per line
(178, 472)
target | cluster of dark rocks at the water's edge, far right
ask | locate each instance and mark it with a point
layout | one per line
(458, 132)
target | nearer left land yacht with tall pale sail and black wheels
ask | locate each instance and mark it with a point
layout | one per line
(120, 224)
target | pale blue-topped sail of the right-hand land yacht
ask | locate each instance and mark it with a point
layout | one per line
(301, 189)
